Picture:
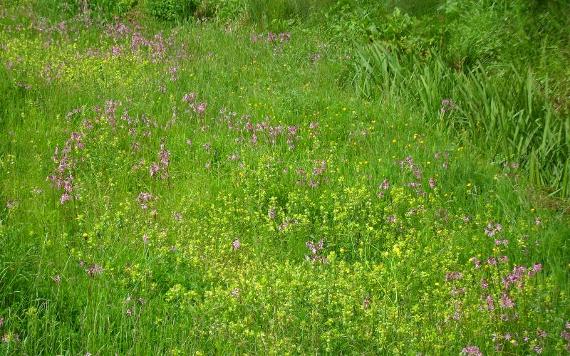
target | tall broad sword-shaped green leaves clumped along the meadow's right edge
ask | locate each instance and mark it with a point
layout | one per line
(503, 109)
